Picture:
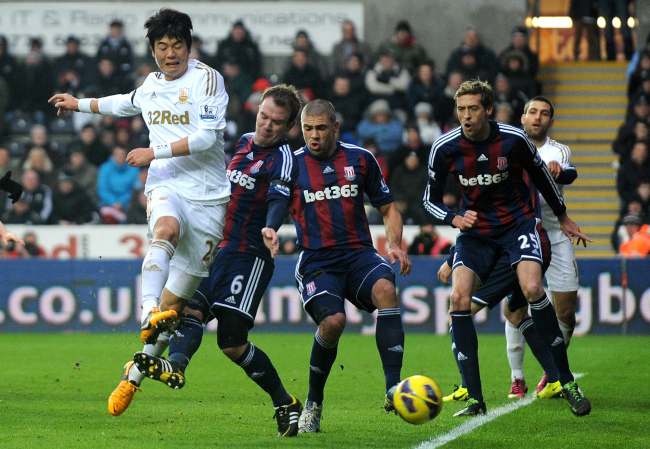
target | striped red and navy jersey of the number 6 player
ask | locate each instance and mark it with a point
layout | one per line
(257, 175)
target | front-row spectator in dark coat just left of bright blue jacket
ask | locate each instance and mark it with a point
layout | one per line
(71, 204)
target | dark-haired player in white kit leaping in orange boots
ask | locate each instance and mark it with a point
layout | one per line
(184, 108)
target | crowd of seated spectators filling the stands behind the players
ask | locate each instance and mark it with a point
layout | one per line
(394, 100)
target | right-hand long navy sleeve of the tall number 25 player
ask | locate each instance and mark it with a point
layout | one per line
(539, 174)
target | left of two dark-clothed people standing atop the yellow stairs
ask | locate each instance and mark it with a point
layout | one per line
(584, 15)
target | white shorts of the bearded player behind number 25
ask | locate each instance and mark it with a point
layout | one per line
(562, 274)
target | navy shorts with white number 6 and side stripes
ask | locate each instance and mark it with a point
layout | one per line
(237, 282)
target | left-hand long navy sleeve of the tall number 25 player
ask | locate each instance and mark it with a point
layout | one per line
(433, 193)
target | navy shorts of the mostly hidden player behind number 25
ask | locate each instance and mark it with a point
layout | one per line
(503, 279)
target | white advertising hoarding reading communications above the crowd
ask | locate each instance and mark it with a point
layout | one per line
(272, 24)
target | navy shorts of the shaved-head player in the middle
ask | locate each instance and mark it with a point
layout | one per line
(342, 274)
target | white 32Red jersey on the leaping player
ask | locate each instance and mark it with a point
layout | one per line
(173, 110)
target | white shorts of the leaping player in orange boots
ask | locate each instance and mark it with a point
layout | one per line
(201, 227)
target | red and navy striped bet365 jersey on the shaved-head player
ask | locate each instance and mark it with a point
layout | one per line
(327, 206)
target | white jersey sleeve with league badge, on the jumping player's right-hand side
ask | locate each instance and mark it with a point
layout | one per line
(213, 100)
